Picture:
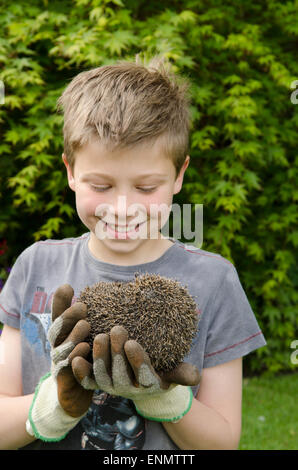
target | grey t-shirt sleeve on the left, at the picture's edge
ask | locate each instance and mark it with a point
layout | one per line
(11, 295)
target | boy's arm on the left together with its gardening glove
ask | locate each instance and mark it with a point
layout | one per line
(59, 401)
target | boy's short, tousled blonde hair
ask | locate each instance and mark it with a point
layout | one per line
(126, 104)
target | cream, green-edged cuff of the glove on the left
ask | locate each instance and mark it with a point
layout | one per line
(49, 422)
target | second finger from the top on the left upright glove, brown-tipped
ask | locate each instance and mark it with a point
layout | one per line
(64, 324)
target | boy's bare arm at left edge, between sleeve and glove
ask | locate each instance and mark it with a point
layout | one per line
(14, 407)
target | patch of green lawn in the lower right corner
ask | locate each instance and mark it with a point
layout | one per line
(270, 413)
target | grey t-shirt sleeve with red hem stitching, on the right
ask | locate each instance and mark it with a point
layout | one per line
(233, 330)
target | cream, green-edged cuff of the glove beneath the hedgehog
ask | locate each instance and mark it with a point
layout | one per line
(170, 406)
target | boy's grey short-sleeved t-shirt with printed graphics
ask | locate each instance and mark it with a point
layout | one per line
(227, 327)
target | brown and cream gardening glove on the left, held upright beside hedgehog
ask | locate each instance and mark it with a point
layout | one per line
(60, 401)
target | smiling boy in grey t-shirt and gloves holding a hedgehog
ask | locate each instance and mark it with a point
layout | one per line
(125, 143)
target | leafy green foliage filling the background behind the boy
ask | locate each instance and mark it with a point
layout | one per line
(241, 60)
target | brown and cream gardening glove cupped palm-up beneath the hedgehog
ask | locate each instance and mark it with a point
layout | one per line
(122, 367)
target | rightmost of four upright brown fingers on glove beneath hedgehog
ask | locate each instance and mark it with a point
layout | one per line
(141, 365)
